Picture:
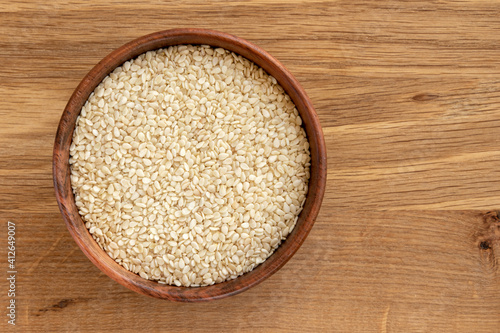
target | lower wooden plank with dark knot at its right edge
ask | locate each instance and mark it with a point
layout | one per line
(357, 271)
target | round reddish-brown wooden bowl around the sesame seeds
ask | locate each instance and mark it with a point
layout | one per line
(66, 200)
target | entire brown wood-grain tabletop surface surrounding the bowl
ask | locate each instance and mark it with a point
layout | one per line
(408, 93)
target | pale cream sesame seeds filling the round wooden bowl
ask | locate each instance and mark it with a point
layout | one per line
(183, 188)
